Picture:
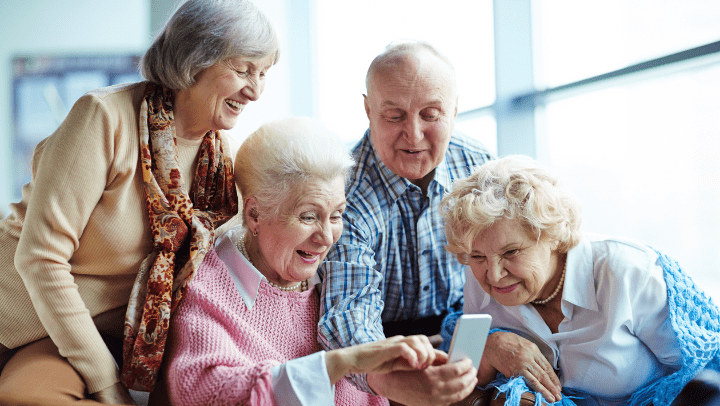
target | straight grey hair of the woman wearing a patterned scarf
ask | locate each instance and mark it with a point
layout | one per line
(203, 32)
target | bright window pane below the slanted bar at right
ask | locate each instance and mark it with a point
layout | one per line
(644, 159)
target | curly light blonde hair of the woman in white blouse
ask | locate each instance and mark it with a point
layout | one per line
(514, 187)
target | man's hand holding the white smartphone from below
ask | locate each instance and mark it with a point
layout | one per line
(439, 384)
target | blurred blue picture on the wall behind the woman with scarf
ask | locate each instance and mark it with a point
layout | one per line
(45, 87)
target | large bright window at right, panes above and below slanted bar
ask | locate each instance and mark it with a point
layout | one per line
(642, 152)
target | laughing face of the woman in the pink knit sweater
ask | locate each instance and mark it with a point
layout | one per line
(292, 245)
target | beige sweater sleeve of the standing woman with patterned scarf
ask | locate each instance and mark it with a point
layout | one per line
(70, 173)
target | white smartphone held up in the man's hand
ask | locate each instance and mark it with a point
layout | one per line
(469, 338)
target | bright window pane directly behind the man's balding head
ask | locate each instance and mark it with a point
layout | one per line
(351, 34)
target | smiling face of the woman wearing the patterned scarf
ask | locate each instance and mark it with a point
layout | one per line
(219, 95)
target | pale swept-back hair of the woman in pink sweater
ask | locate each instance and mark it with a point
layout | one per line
(284, 153)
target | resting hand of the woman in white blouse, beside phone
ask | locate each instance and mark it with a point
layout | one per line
(513, 355)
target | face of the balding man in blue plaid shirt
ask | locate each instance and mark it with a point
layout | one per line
(411, 106)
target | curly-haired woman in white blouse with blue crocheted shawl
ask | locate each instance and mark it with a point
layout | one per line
(607, 313)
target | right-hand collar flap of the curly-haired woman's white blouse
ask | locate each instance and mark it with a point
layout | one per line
(579, 287)
